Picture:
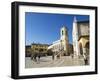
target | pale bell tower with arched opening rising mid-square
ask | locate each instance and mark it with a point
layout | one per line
(64, 39)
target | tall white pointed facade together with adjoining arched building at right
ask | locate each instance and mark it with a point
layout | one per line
(80, 37)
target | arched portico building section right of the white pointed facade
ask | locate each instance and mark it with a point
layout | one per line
(83, 39)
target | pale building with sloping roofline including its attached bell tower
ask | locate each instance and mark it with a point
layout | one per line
(61, 44)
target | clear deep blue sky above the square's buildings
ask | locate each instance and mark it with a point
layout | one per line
(45, 27)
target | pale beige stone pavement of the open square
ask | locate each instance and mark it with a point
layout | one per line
(48, 62)
